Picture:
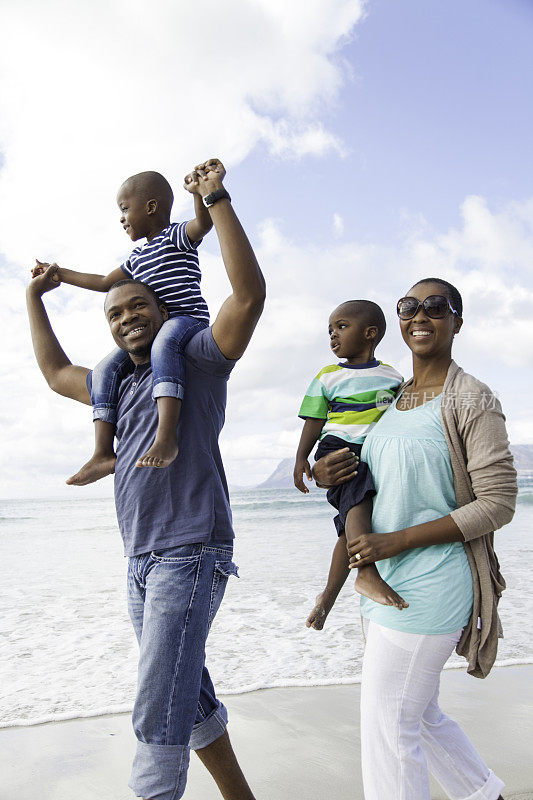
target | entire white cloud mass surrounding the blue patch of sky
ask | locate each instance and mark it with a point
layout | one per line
(94, 94)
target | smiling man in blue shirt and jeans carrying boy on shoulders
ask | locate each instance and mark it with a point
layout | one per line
(176, 522)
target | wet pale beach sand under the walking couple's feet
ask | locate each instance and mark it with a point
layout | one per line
(298, 743)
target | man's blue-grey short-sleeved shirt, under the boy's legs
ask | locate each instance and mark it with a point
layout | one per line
(187, 501)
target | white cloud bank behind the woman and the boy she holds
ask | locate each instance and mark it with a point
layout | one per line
(291, 342)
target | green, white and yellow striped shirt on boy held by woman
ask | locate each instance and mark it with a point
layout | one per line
(350, 398)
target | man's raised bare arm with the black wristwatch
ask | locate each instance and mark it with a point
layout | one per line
(240, 312)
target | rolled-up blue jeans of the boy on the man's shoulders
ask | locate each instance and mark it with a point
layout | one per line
(168, 367)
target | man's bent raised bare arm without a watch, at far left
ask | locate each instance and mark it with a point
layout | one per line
(61, 375)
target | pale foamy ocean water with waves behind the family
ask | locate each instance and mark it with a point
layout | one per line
(67, 649)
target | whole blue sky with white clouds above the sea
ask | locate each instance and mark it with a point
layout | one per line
(368, 145)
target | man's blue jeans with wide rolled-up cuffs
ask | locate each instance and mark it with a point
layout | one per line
(173, 596)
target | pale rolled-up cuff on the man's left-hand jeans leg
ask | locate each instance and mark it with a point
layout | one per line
(159, 771)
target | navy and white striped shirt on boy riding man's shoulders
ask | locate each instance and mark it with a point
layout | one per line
(169, 265)
